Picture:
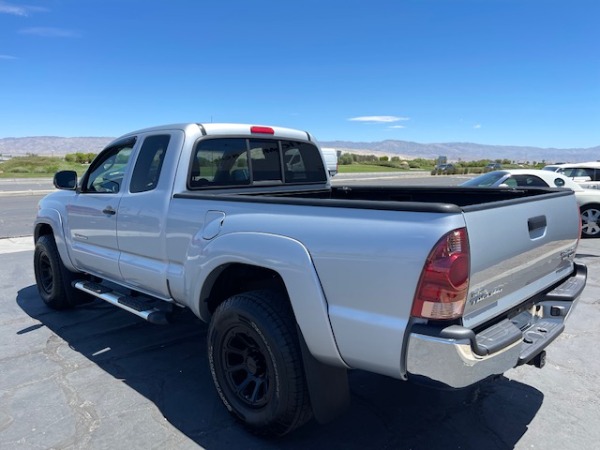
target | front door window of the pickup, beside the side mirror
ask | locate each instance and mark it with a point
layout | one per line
(105, 175)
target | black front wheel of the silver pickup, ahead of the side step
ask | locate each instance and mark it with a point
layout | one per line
(53, 279)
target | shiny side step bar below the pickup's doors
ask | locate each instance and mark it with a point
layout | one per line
(154, 311)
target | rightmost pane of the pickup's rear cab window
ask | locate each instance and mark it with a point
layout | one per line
(303, 163)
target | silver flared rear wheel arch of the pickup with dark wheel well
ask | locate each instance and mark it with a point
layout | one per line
(239, 262)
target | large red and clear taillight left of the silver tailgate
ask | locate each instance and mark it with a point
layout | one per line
(442, 290)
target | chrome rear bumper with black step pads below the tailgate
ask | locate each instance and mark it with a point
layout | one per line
(458, 357)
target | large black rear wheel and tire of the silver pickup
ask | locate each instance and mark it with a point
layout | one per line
(256, 363)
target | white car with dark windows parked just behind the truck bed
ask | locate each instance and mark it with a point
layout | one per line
(587, 199)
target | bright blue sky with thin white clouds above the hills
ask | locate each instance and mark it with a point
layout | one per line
(504, 72)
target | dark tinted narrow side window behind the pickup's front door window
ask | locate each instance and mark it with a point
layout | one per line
(149, 163)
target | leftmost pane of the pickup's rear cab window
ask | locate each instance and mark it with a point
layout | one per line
(219, 162)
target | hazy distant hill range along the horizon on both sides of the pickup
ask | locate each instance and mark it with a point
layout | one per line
(60, 146)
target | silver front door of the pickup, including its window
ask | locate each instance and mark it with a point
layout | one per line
(91, 218)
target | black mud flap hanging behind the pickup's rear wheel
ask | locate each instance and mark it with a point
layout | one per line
(328, 387)
